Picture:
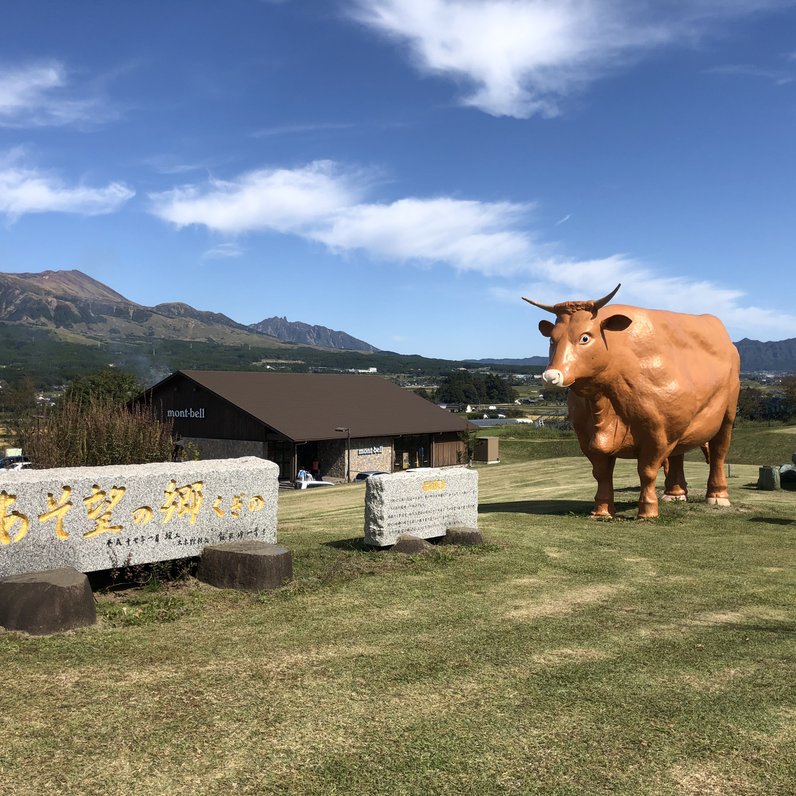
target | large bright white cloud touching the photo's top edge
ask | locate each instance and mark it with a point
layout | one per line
(524, 57)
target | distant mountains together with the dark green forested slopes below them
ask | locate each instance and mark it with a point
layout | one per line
(70, 308)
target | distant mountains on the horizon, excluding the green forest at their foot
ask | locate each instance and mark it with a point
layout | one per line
(75, 308)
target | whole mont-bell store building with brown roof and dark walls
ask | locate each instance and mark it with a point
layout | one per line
(308, 421)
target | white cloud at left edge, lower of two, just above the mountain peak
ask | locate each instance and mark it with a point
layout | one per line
(25, 189)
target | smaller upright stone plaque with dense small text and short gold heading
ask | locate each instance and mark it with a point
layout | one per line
(422, 503)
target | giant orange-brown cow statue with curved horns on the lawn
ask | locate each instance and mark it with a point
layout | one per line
(647, 385)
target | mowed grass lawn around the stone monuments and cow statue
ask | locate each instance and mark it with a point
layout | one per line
(567, 656)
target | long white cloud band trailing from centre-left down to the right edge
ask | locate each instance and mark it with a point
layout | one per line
(324, 203)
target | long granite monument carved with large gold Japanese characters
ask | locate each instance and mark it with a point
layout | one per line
(93, 518)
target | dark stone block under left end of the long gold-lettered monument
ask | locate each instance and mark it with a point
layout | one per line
(47, 602)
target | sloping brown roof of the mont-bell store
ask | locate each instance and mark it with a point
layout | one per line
(309, 406)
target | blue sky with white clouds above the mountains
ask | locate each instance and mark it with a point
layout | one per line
(406, 170)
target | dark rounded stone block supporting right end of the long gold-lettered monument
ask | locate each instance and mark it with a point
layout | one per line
(246, 566)
